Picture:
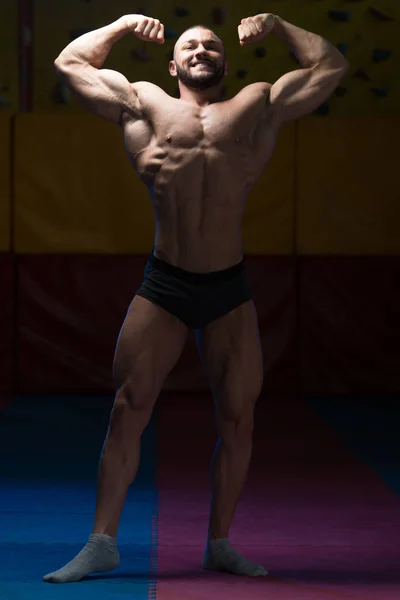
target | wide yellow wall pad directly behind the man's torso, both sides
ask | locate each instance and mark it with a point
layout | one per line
(77, 192)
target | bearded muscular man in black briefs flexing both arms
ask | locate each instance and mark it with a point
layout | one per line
(199, 156)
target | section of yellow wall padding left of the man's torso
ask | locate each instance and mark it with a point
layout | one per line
(76, 190)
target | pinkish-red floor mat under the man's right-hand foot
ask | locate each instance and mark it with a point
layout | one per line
(322, 523)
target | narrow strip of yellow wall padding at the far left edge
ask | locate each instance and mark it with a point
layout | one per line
(5, 132)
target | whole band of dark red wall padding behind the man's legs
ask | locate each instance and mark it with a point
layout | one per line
(336, 331)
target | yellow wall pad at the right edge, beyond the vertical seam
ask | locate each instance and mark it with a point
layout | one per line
(348, 191)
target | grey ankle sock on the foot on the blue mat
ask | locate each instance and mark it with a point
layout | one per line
(99, 555)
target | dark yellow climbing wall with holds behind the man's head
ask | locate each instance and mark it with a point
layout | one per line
(366, 31)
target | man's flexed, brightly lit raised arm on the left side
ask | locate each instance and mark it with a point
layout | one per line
(104, 92)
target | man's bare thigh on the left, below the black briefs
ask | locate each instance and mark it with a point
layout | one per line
(149, 345)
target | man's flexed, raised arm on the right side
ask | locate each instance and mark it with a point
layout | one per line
(299, 92)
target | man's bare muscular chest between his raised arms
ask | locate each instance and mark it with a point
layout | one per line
(183, 134)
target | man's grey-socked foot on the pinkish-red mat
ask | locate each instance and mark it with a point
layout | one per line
(220, 556)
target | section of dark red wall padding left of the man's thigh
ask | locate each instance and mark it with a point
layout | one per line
(70, 310)
